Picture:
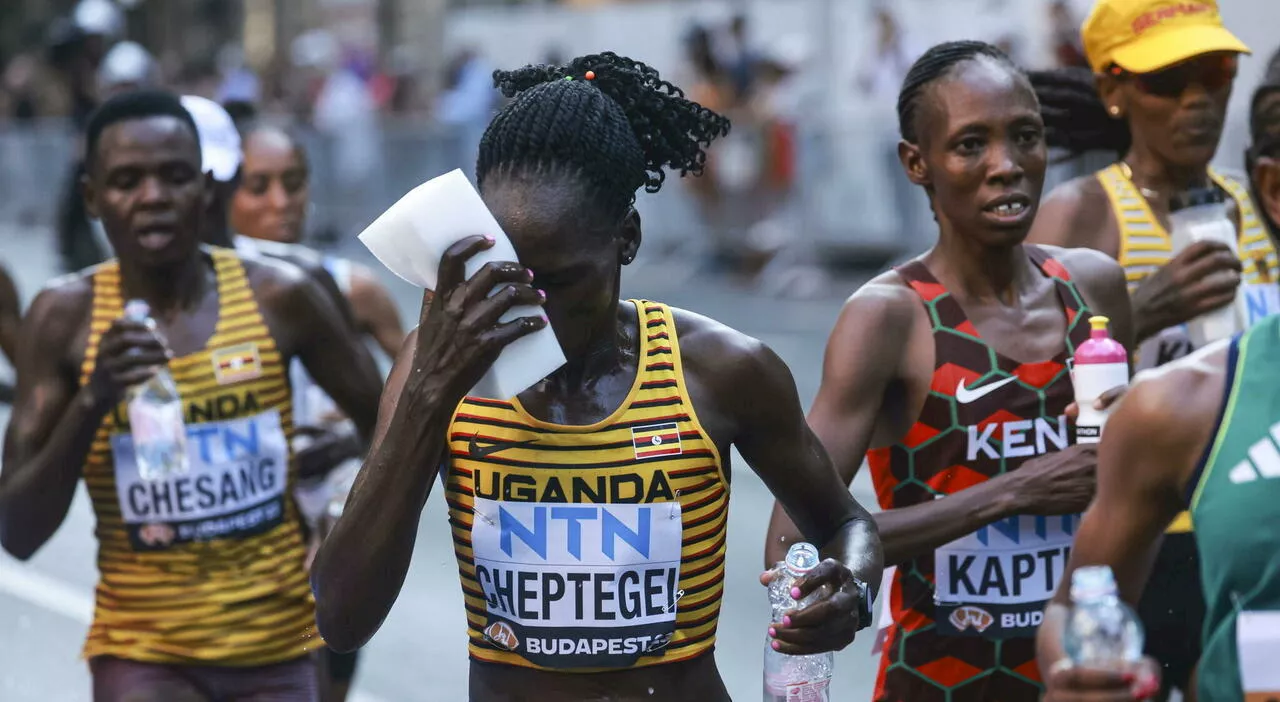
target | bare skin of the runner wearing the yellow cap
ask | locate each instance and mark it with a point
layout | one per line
(1174, 140)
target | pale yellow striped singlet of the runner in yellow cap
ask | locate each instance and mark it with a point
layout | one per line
(1146, 247)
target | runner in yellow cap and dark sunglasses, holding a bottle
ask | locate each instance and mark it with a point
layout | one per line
(1163, 76)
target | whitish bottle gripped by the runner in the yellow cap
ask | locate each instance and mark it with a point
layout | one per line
(1201, 215)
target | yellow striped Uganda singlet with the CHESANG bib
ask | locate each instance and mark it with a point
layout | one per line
(207, 567)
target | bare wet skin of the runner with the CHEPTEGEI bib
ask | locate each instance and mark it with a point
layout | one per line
(743, 393)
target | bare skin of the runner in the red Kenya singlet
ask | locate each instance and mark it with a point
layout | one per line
(979, 144)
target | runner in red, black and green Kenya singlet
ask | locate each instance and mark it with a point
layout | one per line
(963, 389)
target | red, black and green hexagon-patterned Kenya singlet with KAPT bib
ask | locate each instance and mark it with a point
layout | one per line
(964, 618)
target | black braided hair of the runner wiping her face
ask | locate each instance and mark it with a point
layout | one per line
(616, 133)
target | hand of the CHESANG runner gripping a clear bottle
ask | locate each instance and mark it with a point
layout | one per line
(129, 354)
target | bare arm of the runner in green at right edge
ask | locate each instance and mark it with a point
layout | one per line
(1149, 452)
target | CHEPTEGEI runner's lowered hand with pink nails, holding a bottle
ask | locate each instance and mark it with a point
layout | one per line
(828, 624)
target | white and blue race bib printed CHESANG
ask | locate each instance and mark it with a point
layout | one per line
(234, 490)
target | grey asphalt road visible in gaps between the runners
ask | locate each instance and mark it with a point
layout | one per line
(420, 654)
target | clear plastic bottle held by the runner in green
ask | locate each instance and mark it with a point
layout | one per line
(1101, 631)
